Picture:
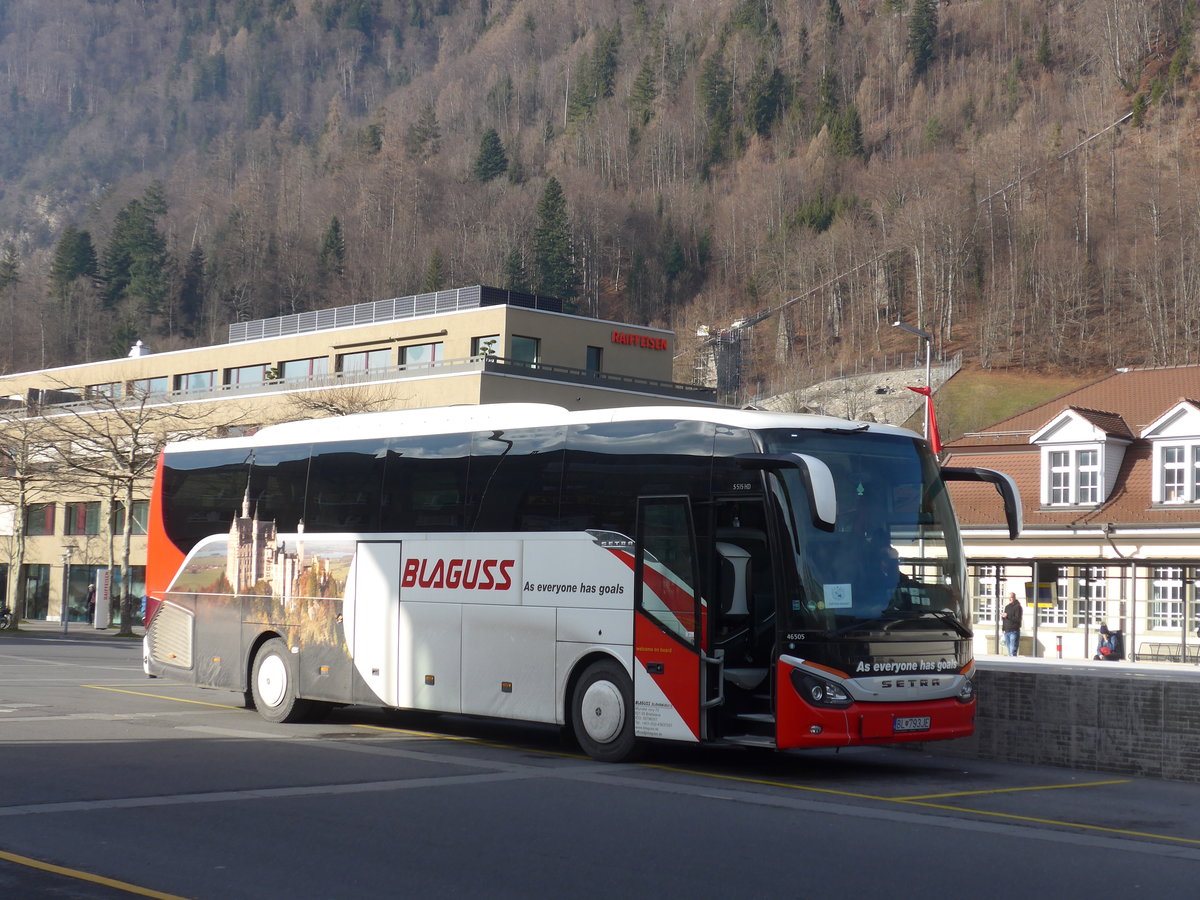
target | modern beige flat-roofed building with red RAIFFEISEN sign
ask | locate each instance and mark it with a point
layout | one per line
(470, 346)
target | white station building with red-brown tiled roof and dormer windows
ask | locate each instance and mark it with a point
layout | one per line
(1109, 477)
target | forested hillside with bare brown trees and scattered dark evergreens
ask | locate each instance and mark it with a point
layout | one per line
(1017, 177)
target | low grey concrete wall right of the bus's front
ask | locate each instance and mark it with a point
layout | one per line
(1130, 719)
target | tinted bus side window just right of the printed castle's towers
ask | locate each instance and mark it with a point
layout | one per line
(345, 485)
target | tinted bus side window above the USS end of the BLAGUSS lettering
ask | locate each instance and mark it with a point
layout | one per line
(515, 479)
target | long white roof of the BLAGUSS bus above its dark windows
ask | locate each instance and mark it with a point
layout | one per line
(488, 417)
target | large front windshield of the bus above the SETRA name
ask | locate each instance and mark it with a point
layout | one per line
(893, 561)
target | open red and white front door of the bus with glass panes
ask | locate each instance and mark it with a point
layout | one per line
(669, 623)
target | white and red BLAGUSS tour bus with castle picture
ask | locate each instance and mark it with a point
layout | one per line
(683, 574)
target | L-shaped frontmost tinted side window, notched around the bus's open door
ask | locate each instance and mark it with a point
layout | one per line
(611, 464)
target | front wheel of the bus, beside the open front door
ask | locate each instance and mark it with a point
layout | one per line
(603, 713)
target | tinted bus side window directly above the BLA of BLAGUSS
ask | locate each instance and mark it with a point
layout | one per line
(425, 484)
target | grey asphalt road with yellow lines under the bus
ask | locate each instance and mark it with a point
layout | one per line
(115, 787)
